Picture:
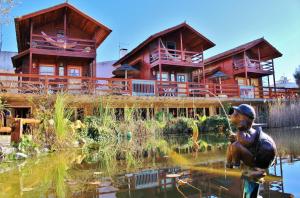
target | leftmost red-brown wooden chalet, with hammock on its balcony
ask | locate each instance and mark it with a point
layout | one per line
(59, 40)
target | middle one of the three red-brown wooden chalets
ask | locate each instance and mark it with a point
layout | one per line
(169, 55)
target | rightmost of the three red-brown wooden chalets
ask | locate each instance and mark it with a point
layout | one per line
(245, 66)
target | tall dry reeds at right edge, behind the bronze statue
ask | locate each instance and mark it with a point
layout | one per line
(284, 114)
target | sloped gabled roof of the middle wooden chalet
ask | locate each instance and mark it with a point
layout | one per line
(208, 43)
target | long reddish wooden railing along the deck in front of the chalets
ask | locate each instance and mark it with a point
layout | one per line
(40, 85)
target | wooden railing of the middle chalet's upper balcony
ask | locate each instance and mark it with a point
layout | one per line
(177, 56)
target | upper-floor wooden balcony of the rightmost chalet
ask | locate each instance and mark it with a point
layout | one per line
(254, 68)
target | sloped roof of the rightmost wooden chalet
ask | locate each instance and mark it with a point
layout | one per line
(274, 53)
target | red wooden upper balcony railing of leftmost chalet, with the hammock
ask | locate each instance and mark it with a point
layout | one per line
(63, 44)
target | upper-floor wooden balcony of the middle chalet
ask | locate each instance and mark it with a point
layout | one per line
(176, 57)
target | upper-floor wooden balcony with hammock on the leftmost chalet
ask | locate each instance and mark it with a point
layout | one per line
(72, 47)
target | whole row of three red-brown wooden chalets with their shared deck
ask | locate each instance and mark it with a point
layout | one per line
(57, 52)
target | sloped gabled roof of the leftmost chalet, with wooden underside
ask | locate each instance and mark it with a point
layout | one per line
(22, 23)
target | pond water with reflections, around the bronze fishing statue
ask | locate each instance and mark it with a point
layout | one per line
(68, 174)
